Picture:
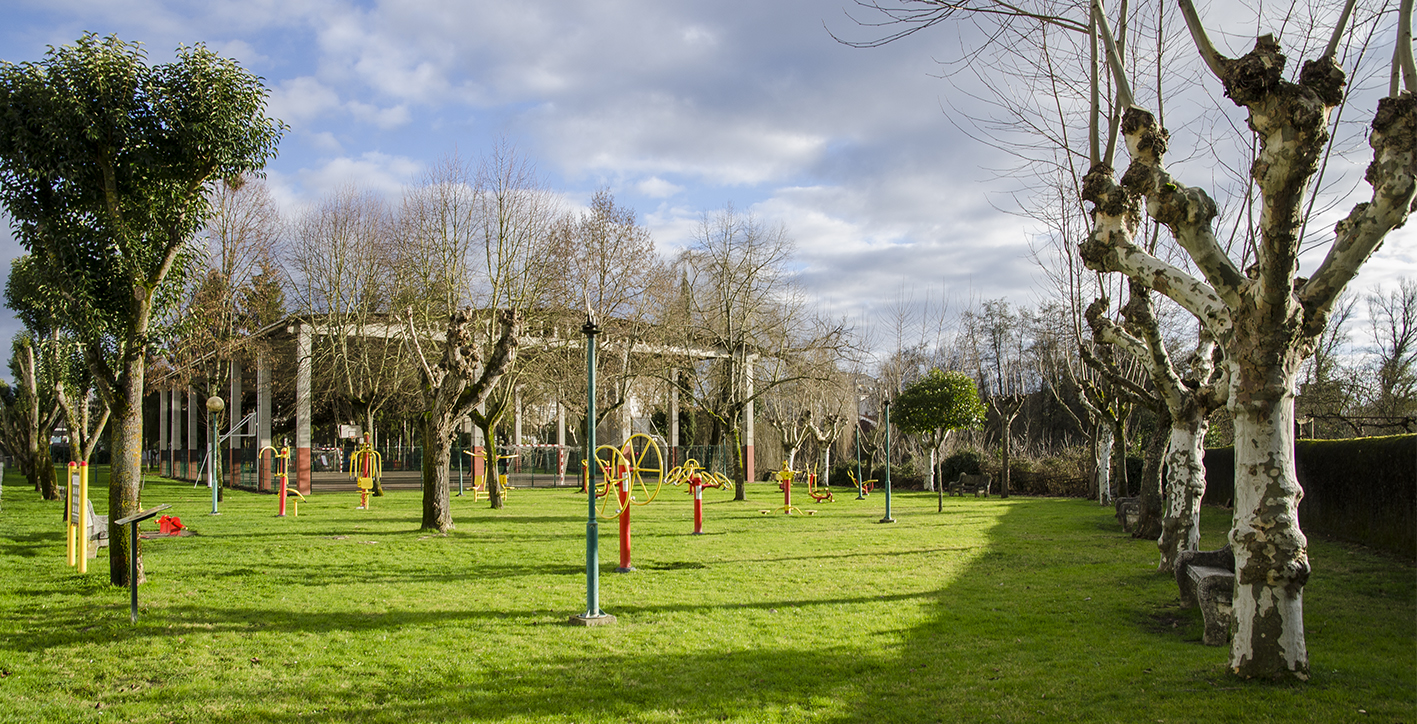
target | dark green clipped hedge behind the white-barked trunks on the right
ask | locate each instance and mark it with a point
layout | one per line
(1362, 491)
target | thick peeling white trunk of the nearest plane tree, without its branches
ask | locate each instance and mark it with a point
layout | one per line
(1272, 553)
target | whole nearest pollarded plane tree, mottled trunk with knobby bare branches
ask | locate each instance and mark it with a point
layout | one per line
(1260, 311)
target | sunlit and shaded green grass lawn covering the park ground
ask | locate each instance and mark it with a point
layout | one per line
(1024, 610)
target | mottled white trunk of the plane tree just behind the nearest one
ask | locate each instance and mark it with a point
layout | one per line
(1185, 488)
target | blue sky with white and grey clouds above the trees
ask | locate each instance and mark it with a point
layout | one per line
(679, 108)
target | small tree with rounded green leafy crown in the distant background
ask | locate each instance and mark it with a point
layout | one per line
(936, 406)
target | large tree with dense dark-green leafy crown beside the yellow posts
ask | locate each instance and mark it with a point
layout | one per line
(106, 168)
